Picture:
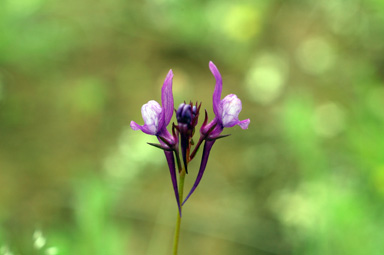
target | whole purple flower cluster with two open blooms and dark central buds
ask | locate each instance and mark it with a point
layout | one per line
(157, 118)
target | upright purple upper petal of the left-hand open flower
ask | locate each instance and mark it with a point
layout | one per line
(166, 101)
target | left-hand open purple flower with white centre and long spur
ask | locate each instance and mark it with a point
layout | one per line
(156, 119)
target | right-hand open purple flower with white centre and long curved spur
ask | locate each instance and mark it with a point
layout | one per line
(226, 115)
